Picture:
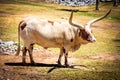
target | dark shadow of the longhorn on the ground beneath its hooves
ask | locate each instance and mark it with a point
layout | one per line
(53, 66)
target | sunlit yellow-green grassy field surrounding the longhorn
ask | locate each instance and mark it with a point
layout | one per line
(107, 33)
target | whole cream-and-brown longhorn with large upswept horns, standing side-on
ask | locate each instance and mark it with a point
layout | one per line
(68, 36)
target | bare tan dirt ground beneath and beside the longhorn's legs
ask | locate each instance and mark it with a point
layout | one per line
(41, 56)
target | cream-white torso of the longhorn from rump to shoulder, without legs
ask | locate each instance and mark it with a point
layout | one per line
(44, 33)
